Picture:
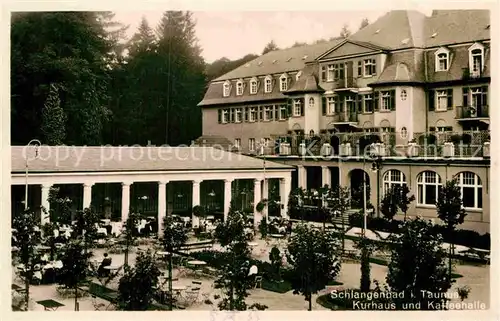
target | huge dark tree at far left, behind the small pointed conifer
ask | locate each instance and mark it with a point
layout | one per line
(71, 49)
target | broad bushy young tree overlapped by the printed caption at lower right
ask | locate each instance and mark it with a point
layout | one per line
(418, 267)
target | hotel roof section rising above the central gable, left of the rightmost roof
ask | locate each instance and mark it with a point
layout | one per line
(396, 29)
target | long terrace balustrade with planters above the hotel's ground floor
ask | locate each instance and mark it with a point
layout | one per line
(431, 144)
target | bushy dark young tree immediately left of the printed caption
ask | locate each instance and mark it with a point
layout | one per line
(313, 255)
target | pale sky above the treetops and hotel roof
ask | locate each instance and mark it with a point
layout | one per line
(234, 34)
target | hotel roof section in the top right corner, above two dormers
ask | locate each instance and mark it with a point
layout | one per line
(456, 26)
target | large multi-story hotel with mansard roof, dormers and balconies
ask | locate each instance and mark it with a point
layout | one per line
(416, 85)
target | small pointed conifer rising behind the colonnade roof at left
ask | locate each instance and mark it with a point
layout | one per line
(53, 118)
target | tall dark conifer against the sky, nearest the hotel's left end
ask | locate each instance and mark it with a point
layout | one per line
(182, 68)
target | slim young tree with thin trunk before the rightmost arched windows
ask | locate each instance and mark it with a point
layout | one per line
(450, 210)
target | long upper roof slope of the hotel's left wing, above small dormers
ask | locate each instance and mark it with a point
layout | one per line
(279, 61)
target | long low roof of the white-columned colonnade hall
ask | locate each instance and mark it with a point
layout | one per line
(112, 159)
